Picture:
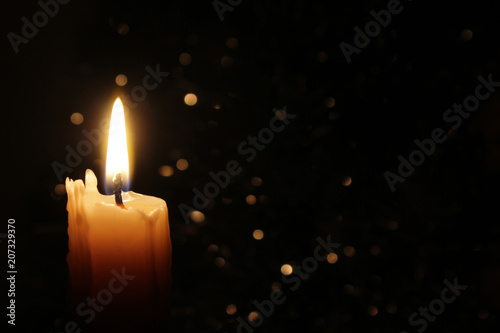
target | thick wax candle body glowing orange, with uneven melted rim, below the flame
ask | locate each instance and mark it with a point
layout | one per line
(119, 259)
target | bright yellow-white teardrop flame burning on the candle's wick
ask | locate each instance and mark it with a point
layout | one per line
(117, 154)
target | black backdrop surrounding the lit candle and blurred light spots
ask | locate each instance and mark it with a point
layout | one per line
(441, 223)
